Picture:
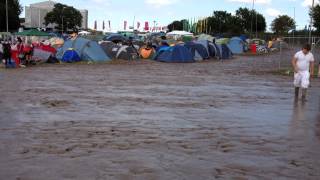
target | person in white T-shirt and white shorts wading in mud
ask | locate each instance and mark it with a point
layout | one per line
(303, 64)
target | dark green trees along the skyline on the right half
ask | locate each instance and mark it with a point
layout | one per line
(245, 21)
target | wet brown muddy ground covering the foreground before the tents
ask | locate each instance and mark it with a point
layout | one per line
(149, 120)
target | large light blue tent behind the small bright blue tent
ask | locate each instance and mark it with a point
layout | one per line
(86, 49)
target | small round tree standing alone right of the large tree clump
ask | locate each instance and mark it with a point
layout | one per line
(282, 24)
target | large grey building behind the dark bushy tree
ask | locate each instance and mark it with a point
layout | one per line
(35, 13)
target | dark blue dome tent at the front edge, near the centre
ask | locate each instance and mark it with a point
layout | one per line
(174, 54)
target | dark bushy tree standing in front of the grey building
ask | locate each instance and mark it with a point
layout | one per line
(65, 17)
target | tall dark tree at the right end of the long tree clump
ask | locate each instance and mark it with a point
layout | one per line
(251, 20)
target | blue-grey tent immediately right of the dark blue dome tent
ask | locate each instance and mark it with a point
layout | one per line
(199, 52)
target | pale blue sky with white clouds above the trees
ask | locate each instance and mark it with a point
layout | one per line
(166, 11)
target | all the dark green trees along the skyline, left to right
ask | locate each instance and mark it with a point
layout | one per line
(245, 21)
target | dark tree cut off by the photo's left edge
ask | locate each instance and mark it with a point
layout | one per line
(14, 10)
